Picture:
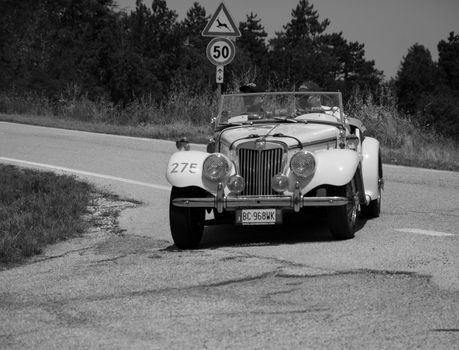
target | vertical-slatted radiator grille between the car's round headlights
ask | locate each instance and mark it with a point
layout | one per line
(258, 167)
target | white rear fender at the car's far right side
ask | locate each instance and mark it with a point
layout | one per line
(370, 166)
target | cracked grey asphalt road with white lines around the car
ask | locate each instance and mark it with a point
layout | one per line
(395, 285)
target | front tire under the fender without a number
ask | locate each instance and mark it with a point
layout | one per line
(342, 219)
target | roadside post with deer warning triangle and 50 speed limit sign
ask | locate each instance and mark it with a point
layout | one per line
(221, 50)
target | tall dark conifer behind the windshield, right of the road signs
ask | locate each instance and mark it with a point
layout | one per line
(303, 51)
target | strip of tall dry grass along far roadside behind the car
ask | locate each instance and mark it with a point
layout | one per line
(402, 141)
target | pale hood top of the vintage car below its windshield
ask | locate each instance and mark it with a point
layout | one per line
(288, 133)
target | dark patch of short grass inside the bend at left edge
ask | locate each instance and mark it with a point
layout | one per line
(38, 208)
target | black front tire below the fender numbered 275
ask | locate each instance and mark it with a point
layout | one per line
(186, 224)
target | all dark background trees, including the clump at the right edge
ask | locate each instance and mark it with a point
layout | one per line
(75, 56)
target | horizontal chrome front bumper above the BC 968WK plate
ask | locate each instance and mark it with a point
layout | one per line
(294, 202)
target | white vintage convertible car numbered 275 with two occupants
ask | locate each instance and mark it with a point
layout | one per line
(273, 155)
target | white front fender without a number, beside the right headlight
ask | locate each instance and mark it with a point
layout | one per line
(334, 167)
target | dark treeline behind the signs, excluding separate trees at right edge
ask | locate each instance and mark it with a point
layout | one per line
(121, 57)
